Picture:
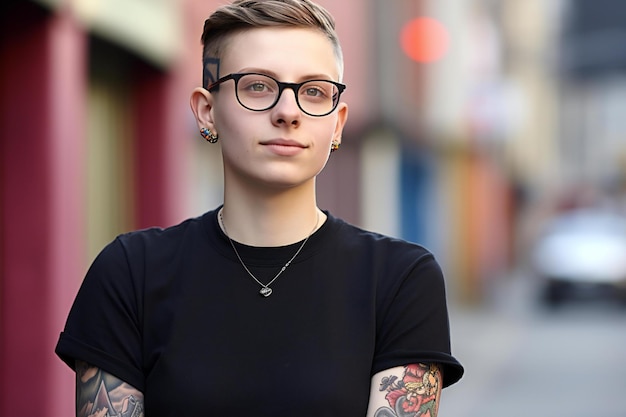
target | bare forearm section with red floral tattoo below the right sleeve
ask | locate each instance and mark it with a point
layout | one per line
(406, 391)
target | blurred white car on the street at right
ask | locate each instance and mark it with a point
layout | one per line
(581, 253)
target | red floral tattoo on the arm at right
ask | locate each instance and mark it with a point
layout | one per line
(415, 395)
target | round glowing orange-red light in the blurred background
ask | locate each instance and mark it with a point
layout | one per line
(424, 39)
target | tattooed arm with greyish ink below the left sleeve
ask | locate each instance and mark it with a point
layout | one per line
(98, 392)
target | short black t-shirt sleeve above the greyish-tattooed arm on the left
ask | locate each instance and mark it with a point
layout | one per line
(103, 327)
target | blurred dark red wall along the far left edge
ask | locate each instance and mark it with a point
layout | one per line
(42, 100)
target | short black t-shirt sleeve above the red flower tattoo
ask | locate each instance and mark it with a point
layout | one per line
(413, 325)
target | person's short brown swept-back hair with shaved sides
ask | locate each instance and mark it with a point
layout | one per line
(242, 15)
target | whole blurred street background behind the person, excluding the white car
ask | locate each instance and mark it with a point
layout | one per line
(472, 124)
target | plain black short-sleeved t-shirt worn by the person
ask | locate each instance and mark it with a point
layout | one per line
(173, 313)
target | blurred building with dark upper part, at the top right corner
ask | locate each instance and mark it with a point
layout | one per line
(592, 68)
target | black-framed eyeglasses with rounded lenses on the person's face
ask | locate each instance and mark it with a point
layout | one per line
(260, 92)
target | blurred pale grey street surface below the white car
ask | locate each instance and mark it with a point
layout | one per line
(523, 360)
